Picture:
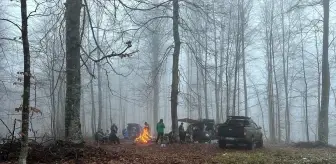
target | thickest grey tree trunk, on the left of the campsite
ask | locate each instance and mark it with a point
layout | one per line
(72, 108)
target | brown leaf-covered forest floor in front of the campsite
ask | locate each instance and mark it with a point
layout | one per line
(128, 153)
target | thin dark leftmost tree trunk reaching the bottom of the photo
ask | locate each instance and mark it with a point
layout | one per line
(26, 84)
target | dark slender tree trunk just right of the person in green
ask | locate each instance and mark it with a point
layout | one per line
(175, 76)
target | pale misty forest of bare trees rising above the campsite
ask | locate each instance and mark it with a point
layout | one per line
(92, 63)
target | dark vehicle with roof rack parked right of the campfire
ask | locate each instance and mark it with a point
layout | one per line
(240, 130)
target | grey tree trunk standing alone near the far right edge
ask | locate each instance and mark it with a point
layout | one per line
(323, 132)
